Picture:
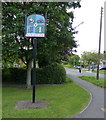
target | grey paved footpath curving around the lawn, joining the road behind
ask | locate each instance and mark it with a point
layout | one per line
(97, 102)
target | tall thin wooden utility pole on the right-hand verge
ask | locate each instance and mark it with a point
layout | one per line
(97, 77)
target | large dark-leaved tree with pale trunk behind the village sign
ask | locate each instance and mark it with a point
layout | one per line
(59, 36)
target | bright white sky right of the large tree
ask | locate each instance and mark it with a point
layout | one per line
(88, 32)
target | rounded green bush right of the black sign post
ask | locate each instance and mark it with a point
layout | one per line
(51, 74)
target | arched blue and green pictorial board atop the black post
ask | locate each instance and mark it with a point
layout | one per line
(35, 26)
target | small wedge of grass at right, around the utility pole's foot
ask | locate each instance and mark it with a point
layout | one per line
(101, 82)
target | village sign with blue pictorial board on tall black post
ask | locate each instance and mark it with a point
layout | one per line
(35, 28)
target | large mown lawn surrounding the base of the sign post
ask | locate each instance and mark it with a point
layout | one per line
(65, 101)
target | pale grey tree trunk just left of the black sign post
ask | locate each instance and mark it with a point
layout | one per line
(28, 79)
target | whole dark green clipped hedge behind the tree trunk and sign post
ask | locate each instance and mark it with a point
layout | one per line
(51, 74)
